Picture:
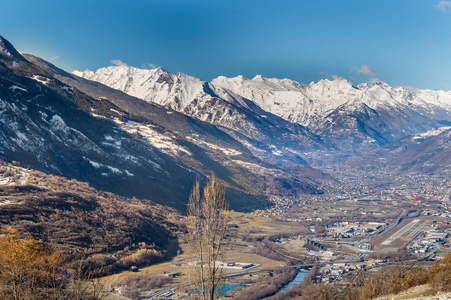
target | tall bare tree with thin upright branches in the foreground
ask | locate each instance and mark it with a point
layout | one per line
(207, 229)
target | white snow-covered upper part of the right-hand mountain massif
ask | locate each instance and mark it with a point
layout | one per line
(305, 104)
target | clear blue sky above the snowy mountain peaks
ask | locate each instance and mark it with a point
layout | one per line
(401, 42)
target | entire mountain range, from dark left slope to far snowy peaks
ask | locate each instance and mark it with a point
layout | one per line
(150, 133)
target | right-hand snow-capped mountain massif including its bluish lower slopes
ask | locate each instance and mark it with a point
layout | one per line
(370, 113)
